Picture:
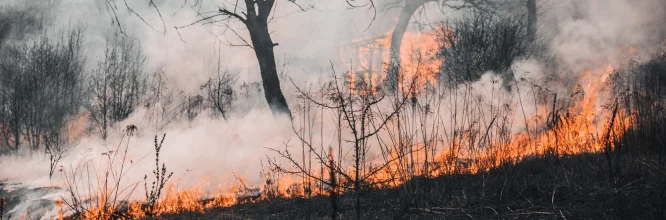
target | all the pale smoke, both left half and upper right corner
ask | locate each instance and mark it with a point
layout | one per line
(580, 35)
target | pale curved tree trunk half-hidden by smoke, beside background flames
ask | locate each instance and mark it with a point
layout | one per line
(396, 41)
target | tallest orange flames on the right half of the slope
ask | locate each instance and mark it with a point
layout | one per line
(585, 126)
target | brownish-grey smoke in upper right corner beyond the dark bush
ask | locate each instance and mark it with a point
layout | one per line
(588, 35)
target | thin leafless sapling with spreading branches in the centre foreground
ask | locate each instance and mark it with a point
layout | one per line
(358, 112)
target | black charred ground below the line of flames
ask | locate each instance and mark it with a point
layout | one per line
(572, 187)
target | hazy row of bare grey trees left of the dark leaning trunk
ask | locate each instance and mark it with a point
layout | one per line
(46, 83)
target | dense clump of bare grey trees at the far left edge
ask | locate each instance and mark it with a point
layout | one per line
(41, 89)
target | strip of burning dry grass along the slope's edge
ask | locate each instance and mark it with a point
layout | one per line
(585, 126)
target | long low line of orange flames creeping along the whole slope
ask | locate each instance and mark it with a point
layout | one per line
(585, 128)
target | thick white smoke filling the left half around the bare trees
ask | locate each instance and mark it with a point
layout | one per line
(207, 148)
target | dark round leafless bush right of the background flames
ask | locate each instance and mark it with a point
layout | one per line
(480, 43)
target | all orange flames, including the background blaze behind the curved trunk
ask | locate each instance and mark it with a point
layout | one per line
(584, 125)
